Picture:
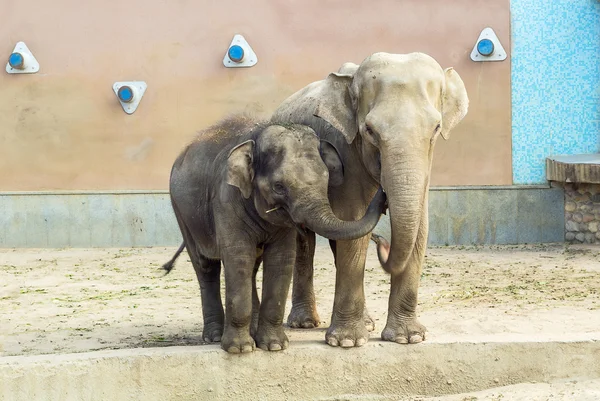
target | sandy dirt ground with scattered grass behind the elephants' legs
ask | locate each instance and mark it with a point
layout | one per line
(75, 300)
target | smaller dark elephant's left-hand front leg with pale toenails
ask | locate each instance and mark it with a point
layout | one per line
(238, 262)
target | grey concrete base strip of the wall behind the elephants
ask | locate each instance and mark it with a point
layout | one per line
(458, 216)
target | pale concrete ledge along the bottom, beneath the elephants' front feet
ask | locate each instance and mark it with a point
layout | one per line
(305, 371)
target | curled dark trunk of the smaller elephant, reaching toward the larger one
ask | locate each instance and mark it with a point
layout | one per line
(321, 219)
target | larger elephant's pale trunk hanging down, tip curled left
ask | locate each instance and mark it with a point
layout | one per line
(404, 179)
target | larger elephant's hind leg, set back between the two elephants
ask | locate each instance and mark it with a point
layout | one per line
(304, 309)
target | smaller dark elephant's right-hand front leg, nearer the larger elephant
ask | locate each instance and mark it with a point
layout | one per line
(279, 260)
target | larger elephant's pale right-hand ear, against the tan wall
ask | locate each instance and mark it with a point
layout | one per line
(455, 101)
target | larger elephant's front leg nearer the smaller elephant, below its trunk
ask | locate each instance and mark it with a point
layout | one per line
(347, 328)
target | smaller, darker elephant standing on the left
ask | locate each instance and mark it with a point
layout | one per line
(241, 192)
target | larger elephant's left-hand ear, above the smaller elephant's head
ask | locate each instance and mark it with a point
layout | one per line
(337, 105)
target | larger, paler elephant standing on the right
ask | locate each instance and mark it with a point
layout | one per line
(383, 117)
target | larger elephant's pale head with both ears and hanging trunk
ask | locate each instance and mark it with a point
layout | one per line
(396, 106)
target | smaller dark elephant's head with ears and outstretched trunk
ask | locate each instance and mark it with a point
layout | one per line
(287, 170)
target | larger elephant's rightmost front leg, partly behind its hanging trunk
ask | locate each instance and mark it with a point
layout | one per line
(402, 325)
